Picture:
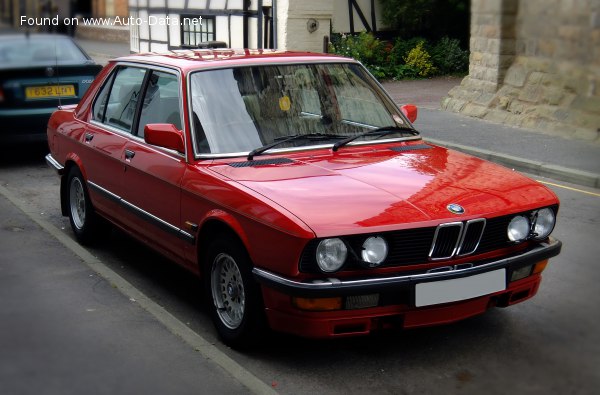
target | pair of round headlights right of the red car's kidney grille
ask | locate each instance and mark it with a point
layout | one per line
(538, 225)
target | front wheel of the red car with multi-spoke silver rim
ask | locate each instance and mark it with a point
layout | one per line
(234, 297)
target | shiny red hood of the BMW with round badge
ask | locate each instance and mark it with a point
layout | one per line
(365, 190)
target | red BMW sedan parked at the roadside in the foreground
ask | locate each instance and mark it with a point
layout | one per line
(300, 193)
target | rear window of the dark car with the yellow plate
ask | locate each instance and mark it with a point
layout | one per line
(36, 51)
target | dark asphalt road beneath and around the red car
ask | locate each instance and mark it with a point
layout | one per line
(550, 344)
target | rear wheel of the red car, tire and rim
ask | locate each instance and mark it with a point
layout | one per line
(83, 219)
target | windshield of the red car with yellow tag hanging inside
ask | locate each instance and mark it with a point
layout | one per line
(238, 110)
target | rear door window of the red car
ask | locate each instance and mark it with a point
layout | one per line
(120, 108)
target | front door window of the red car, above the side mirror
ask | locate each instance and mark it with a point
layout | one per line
(161, 101)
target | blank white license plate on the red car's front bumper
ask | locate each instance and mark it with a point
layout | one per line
(447, 291)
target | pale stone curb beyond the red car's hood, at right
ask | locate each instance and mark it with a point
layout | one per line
(542, 169)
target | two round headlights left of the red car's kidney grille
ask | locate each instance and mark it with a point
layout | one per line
(332, 253)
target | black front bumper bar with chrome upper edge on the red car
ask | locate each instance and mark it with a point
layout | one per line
(331, 286)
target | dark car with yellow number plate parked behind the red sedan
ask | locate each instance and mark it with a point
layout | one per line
(39, 72)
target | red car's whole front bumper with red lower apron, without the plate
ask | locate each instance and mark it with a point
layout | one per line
(396, 307)
